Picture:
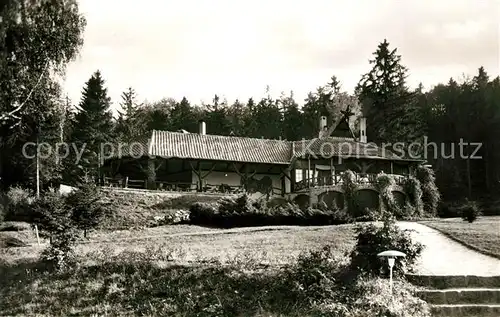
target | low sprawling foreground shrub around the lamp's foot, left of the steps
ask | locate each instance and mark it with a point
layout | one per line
(326, 284)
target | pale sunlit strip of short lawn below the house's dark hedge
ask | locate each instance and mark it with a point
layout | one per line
(185, 244)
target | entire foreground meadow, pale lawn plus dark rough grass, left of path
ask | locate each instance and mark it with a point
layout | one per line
(183, 270)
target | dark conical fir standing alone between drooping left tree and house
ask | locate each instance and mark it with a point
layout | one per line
(93, 124)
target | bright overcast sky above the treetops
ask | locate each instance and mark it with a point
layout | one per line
(198, 48)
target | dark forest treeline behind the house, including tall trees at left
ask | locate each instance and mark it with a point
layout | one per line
(32, 109)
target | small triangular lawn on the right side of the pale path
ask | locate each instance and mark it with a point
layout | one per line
(483, 234)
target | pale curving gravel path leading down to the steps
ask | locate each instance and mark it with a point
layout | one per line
(443, 256)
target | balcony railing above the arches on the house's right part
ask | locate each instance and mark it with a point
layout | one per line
(333, 180)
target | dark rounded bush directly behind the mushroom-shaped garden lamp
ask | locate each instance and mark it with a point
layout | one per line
(371, 240)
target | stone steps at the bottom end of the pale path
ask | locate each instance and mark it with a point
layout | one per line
(459, 296)
